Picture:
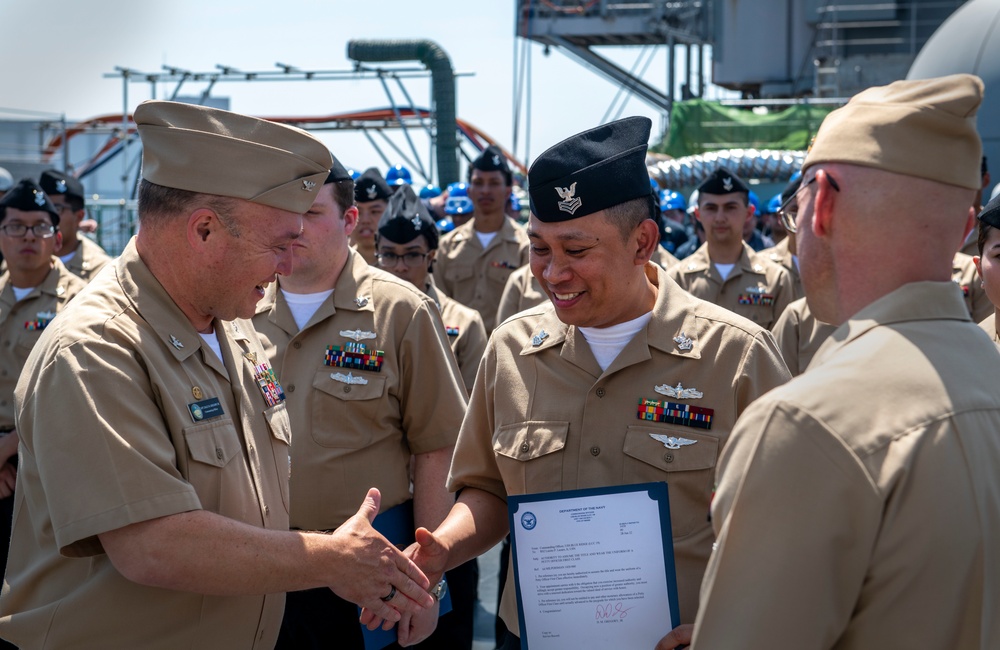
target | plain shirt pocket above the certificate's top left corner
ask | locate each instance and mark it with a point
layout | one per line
(527, 456)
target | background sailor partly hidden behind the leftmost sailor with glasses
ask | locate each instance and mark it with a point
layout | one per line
(82, 257)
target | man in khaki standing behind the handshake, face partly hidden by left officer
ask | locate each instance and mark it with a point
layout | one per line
(355, 348)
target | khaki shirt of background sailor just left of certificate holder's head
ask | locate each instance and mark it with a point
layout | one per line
(475, 276)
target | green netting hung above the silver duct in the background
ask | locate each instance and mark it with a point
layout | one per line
(698, 126)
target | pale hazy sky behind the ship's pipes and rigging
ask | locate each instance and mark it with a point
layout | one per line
(57, 51)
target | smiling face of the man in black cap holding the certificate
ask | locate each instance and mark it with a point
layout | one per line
(589, 271)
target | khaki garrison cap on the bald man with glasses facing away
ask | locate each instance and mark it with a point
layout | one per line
(924, 128)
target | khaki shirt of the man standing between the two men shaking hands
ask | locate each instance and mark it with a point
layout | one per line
(370, 380)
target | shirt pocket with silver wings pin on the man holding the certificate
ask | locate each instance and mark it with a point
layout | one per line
(689, 470)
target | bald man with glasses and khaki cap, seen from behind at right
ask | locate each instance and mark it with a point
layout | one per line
(860, 502)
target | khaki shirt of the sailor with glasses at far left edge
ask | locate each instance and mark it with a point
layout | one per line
(21, 324)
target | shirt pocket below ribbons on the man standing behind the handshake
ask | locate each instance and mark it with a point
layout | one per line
(344, 415)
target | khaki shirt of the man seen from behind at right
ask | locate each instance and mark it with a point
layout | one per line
(859, 505)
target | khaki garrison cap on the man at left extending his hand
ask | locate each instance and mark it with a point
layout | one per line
(211, 151)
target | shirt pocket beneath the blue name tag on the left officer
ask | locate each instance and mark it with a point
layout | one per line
(219, 481)
